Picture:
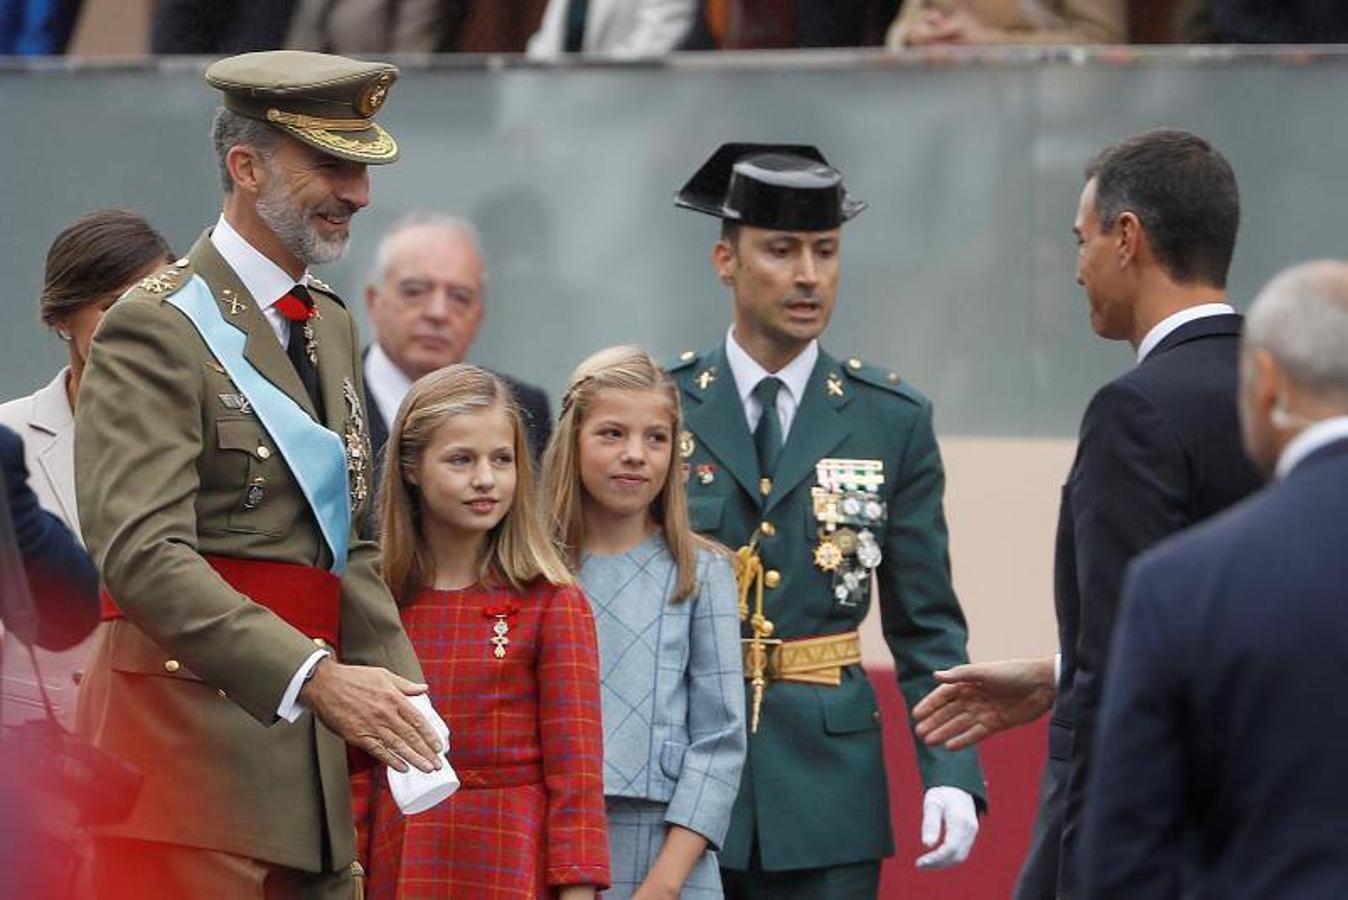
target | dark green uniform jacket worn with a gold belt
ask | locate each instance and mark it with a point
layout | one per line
(814, 789)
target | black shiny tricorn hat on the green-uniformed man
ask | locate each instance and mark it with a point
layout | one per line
(788, 188)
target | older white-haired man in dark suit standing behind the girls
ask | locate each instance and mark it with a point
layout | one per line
(427, 298)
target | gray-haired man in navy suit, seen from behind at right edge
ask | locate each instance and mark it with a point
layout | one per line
(1231, 639)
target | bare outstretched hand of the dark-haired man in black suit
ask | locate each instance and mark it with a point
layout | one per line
(979, 700)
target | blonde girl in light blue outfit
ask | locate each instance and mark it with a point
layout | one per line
(669, 635)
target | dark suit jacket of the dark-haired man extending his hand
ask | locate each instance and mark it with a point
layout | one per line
(1160, 451)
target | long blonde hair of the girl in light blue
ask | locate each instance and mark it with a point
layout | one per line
(618, 368)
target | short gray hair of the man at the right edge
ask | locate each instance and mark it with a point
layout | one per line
(1301, 319)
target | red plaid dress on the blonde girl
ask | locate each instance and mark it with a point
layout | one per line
(526, 739)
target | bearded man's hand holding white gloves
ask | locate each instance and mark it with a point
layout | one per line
(367, 708)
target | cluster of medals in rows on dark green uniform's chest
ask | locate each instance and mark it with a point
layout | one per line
(850, 510)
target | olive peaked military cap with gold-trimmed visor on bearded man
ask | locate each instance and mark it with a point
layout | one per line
(321, 100)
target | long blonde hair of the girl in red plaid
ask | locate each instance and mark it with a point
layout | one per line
(518, 550)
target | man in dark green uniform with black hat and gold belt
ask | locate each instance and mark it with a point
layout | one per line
(827, 476)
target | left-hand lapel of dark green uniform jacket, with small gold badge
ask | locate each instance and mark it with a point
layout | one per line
(716, 416)
